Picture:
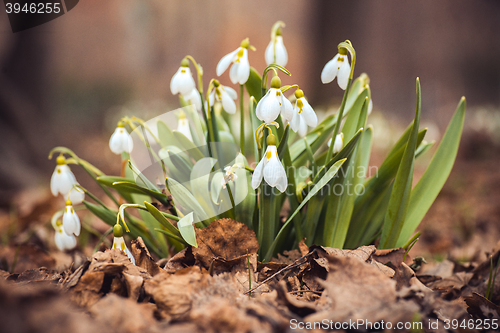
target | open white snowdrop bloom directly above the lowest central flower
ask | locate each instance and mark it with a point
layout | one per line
(270, 106)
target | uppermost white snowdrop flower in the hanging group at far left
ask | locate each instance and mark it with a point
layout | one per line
(63, 181)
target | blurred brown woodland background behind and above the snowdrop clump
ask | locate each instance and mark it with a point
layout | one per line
(67, 82)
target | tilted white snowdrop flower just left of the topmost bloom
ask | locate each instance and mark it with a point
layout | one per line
(240, 71)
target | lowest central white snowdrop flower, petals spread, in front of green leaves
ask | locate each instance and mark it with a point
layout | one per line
(270, 168)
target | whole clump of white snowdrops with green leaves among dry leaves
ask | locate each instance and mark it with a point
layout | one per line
(186, 168)
